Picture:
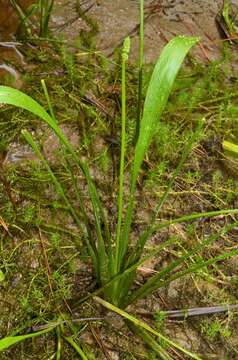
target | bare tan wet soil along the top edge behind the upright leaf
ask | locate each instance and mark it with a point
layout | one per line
(163, 20)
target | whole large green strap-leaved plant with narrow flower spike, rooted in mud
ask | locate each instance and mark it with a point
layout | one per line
(115, 259)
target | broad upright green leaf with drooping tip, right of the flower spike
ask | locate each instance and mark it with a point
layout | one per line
(160, 86)
